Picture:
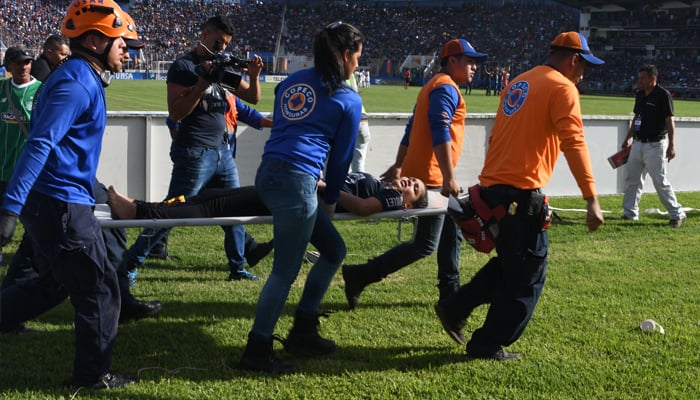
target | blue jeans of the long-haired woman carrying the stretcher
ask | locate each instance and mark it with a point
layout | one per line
(290, 195)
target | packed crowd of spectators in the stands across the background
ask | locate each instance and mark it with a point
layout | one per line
(514, 35)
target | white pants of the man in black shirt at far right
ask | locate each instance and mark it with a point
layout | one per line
(649, 158)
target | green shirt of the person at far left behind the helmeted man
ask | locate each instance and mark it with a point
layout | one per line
(12, 137)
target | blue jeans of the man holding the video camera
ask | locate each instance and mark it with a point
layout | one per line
(195, 168)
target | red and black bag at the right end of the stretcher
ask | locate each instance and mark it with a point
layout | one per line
(478, 223)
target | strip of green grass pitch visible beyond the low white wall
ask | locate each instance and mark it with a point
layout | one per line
(150, 96)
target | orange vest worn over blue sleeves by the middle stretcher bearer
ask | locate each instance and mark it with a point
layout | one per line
(420, 151)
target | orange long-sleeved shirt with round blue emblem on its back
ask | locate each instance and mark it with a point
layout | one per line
(539, 116)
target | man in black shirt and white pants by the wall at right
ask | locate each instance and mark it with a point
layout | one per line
(652, 137)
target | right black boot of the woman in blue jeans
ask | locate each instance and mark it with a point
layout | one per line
(303, 338)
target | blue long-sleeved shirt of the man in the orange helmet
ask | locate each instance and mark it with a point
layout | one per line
(65, 140)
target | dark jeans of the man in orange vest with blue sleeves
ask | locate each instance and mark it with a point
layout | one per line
(432, 233)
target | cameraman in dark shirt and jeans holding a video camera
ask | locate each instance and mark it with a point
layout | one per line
(200, 151)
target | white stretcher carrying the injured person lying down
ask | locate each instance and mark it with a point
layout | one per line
(437, 204)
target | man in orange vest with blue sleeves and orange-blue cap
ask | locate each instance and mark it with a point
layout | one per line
(429, 150)
